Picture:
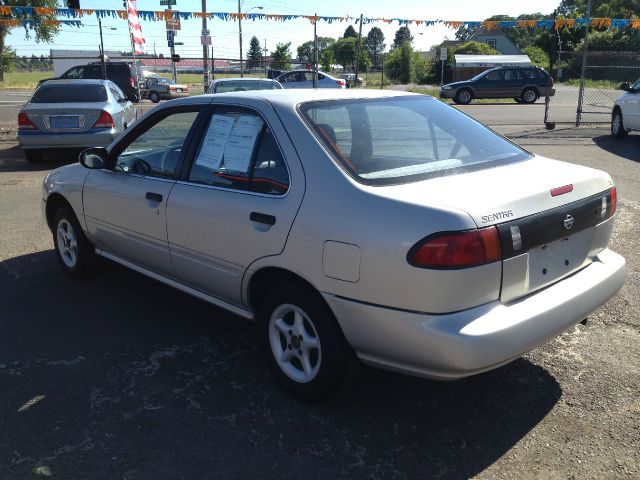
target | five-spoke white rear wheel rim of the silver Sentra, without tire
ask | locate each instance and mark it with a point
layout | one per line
(295, 343)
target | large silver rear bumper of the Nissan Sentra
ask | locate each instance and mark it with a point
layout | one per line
(457, 345)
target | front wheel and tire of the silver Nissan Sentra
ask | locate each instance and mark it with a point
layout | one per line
(73, 250)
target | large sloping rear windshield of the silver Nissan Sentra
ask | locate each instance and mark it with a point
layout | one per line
(400, 140)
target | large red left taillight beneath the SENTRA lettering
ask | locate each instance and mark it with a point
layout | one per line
(450, 250)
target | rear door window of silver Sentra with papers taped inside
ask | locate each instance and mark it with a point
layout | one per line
(239, 151)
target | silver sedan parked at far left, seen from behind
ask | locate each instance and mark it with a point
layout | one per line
(72, 114)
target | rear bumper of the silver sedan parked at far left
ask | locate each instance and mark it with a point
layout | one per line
(53, 140)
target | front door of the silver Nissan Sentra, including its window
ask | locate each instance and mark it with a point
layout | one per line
(125, 205)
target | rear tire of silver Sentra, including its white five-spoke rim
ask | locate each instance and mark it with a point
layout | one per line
(291, 315)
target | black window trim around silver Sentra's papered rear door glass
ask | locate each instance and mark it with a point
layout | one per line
(195, 145)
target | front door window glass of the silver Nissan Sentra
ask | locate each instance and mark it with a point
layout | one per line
(155, 152)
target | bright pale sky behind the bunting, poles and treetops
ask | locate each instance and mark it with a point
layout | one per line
(225, 34)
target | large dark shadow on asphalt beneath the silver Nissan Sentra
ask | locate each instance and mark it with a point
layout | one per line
(121, 377)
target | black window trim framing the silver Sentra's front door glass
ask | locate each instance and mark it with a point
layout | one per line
(153, 119)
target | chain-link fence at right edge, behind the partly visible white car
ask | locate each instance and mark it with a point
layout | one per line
(588, 97)
